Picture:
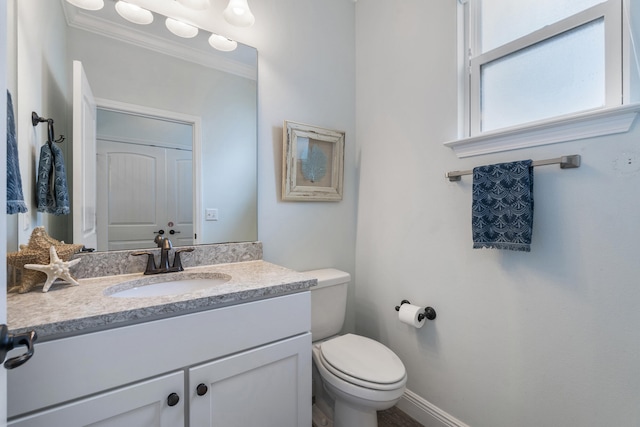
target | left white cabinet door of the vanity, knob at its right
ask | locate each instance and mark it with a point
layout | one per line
(142, 404)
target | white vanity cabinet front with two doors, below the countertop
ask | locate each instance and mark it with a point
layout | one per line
(254, 359)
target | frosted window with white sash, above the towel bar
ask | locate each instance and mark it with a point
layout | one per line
(531, 62)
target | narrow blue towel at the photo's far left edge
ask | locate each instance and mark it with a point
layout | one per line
(15, 198)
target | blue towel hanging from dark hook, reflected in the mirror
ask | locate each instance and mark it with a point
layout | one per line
(52, 190)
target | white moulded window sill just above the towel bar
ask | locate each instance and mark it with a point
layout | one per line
(580, 126)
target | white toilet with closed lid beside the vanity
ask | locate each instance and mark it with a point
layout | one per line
(354, 376)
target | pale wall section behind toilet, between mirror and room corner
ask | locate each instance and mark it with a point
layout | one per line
(306, 68)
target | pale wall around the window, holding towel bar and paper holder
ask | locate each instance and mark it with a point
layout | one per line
(546, 338)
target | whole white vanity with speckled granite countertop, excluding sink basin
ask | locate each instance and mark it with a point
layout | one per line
(235, 354)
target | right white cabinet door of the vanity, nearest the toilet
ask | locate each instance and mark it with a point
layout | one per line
(269, 386)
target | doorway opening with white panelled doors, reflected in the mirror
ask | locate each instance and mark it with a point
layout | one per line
(145, 180)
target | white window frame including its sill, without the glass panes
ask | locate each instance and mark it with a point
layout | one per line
(614, 117)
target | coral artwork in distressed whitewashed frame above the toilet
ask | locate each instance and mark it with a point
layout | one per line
(312, 163)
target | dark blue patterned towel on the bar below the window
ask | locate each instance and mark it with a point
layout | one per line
(502, 207)
